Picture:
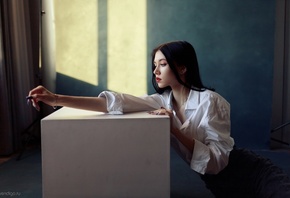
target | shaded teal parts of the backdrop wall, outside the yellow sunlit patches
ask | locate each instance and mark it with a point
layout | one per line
(234, 41)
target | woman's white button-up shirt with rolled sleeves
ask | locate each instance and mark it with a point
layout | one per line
(207, 122)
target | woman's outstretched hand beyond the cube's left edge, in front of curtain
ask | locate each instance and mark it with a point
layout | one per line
(42, 94)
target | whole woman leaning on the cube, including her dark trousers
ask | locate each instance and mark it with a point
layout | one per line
(200, 124)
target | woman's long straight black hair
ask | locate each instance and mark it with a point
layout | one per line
(179, 53)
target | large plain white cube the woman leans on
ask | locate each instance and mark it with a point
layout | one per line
(91, 154)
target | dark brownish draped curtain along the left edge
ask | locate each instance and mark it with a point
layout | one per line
(19, 69)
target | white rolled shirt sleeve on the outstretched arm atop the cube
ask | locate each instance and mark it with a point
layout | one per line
(119, 103)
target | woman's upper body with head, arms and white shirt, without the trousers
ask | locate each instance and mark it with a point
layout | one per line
(200, 118)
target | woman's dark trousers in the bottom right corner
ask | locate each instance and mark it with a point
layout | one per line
(248, 176)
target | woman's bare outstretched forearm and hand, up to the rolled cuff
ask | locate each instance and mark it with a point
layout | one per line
(41, 94)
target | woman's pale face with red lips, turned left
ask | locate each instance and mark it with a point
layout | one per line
(163, 74)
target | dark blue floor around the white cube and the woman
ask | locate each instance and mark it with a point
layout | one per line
(23, 177)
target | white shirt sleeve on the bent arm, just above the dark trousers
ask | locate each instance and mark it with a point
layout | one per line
(210, 155)
